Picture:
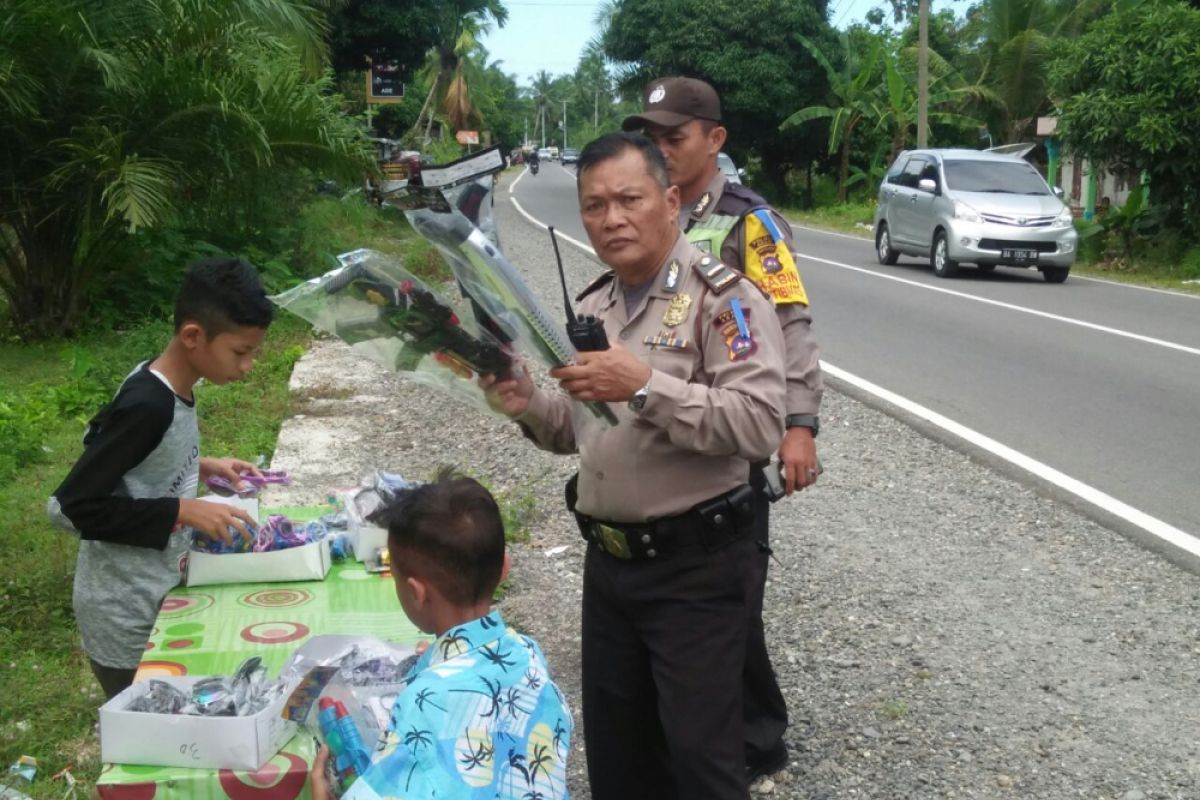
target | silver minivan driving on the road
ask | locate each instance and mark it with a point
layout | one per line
(971, 207)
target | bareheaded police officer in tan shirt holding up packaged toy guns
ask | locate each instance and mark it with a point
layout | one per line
(695, 377)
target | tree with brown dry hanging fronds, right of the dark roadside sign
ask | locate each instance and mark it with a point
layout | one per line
(461, 26)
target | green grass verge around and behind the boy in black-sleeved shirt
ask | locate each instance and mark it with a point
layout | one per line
(49, 392)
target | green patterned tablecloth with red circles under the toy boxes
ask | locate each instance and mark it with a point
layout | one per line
(211, 630)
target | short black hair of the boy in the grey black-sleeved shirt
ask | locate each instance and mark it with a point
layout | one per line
(223, 294)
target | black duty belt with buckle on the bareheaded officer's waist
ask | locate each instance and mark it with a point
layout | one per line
(710, 526)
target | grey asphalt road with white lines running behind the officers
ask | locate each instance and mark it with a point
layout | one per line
(1096, 382)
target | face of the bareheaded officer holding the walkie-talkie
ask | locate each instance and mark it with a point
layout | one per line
(632, 221)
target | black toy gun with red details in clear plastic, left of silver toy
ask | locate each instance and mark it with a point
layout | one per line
(429, 326)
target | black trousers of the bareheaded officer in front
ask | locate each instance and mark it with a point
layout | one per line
(664, 648)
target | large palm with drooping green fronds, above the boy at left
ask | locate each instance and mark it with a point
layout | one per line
(115, 111)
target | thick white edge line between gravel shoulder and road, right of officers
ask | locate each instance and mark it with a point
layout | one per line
(1154, 526)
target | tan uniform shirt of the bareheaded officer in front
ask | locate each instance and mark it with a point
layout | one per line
(712, 408)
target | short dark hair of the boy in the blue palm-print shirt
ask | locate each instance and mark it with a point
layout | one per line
(449, 533)
